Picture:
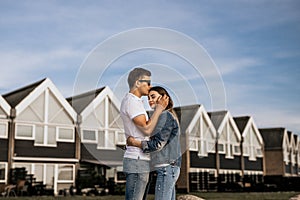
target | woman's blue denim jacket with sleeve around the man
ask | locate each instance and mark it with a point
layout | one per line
(164, 144)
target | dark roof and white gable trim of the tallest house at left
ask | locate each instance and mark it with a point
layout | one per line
(23, 97)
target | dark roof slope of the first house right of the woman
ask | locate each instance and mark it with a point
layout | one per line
(185, 115)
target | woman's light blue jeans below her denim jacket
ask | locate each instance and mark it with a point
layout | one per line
(165, 182)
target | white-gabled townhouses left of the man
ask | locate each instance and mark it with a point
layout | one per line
(41, 132)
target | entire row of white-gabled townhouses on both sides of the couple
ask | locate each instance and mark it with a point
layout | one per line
(54, 138)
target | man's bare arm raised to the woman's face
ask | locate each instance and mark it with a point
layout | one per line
(147, 127)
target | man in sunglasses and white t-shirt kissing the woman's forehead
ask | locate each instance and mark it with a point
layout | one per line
(136, 124)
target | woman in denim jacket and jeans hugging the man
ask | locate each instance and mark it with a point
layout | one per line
(164, 146)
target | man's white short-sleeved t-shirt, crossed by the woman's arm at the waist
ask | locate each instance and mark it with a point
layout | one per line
(131, 107)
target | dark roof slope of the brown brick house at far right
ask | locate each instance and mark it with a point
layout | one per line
(273, 137)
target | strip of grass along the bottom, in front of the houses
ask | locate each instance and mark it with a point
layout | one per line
(204, 195)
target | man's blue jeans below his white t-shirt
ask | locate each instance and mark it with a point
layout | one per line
(137, 175)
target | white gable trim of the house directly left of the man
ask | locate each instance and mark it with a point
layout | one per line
(99, 98)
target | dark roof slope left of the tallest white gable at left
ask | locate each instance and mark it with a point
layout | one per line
(15, 97)
